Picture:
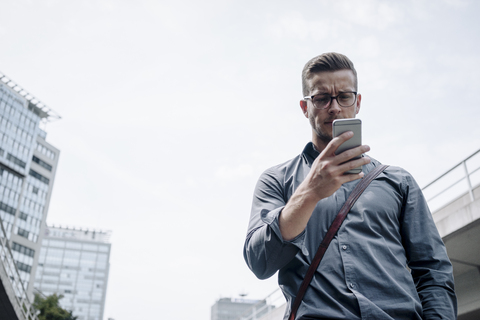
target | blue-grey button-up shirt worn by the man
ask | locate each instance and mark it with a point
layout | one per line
(387, 260)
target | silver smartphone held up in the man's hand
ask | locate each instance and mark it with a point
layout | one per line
(342, 125)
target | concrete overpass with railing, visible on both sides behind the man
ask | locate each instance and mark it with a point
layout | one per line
(454, 199)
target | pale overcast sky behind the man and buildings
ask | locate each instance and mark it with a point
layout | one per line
(172, 109)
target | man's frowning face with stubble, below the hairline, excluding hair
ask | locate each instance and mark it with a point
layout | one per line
(332, 83)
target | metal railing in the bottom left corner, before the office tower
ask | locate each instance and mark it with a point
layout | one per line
(8, 264)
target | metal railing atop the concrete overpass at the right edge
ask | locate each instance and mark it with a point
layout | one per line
(456, 182)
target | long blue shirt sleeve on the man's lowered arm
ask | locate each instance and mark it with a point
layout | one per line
(426, 255)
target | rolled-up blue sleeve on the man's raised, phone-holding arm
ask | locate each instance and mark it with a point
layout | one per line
(265, 251)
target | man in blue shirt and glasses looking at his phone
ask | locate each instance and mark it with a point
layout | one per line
(364, 273)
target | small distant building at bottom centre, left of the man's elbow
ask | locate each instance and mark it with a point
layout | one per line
(235, 308)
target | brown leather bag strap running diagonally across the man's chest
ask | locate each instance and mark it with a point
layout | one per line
(361, 186)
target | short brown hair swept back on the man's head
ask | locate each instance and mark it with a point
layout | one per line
(330, 61)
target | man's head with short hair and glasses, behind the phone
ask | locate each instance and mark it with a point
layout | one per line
(330, 92)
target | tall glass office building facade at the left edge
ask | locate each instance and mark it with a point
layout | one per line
(27, 170)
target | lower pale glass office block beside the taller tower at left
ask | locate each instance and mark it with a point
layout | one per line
(75, 263)
